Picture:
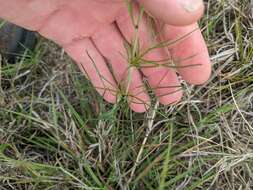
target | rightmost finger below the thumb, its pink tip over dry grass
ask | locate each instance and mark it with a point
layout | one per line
(190, 53)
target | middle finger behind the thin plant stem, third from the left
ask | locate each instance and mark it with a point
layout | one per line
(162, 79)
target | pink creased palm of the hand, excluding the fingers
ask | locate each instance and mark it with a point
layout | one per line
(61, 20)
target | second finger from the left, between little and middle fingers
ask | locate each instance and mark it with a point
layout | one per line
(111, 45)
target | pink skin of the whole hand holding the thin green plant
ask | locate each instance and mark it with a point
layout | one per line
(93, 33)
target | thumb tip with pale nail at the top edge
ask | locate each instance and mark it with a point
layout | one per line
(175, 12)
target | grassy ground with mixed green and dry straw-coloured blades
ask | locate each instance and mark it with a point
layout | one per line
(57, 133)
